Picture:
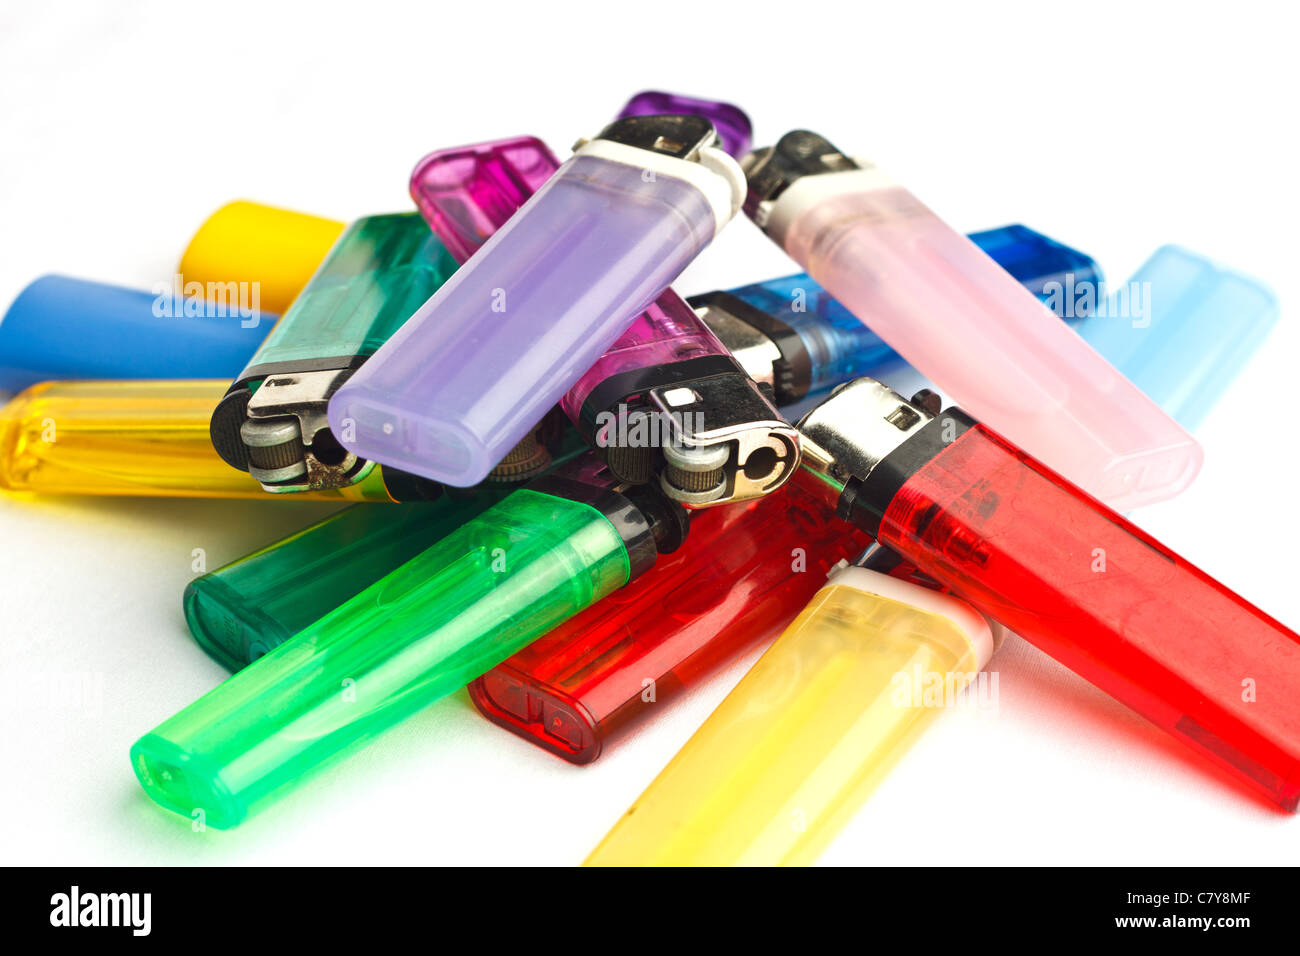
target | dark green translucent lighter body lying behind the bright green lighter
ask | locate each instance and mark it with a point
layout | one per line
(255, 604)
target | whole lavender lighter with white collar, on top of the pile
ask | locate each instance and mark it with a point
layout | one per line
(480, 364)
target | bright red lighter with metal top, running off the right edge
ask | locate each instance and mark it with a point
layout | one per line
(1038, 555)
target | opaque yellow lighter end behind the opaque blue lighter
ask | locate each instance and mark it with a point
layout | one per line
(250, 243)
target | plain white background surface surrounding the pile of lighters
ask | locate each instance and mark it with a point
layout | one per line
(1111, 128)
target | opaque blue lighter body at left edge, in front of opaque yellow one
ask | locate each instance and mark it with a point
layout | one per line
(63, 328)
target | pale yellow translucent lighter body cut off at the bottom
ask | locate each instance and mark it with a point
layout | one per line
(798, 746)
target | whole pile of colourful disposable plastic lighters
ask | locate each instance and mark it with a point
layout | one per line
(596, 496)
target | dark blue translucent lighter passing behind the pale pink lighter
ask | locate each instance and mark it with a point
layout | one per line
(792, 335)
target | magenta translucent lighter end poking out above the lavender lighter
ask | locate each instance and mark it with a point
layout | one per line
(466, 194)
